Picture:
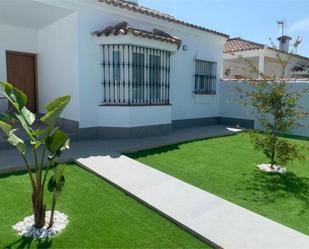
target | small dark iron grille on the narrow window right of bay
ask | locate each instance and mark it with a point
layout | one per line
(205, 77)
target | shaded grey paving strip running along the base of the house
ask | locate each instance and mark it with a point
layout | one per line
(11, 161)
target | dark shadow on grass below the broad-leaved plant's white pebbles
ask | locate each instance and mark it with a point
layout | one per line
(27, 243)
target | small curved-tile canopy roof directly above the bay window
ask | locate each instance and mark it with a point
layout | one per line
(123, 28)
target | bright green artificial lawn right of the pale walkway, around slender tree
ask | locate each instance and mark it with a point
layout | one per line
(226, 166)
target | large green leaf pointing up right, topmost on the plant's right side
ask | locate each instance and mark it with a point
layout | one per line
(54, 109)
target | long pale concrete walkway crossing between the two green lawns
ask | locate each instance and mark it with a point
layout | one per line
(213, 219)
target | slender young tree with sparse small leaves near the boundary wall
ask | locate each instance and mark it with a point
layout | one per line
(276, 106)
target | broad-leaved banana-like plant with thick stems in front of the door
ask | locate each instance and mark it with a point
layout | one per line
(45, 145)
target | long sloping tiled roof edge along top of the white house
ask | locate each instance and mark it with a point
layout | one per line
(156, 14)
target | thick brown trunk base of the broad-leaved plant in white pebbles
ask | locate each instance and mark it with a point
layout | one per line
(38, 208)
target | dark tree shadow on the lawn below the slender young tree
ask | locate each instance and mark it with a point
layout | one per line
(270, 187)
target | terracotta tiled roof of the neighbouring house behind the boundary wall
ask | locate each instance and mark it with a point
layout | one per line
(238, 45)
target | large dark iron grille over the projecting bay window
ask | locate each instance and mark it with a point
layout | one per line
(134, 75)
